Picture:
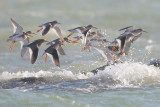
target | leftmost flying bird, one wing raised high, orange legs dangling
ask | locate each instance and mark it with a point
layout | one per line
(19, 35)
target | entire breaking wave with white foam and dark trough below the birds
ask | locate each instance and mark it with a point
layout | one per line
(113, 76)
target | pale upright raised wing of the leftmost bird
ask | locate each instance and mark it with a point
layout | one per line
(16, 27)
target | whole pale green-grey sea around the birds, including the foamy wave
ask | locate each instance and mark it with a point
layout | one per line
(132, 83)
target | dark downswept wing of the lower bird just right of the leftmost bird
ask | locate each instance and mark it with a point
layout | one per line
(33, 53)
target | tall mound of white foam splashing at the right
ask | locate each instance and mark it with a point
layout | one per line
(131, 74)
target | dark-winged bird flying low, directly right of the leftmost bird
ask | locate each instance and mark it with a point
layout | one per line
(33, 49)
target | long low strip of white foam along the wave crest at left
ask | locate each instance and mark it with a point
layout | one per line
(57, 76)
